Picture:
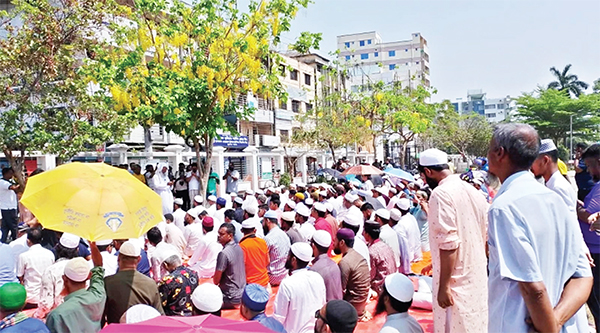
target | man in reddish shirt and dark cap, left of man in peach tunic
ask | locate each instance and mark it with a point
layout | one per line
(381, 255)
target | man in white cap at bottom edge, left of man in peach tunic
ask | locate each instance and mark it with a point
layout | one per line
(395, 300)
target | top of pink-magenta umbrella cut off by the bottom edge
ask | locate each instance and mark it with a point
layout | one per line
(197, 324)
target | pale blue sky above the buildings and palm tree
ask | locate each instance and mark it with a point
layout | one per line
(502, 47)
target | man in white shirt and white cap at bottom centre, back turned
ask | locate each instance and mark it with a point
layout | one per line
(301, 293)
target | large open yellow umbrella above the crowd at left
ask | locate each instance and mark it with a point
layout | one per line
(92, 200)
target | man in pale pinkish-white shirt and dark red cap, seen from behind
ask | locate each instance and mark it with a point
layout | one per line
(204, 259)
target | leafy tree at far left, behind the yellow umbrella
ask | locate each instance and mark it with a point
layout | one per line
(46, 98)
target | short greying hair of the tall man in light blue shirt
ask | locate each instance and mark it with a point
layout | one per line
(520, 141)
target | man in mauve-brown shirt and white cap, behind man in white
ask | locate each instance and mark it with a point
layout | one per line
(326, 267)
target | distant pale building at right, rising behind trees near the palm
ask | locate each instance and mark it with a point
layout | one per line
(494, 109)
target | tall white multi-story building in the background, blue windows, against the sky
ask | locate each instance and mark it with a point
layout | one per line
(371, 60)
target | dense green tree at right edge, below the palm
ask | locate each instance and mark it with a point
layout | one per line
(550, 111)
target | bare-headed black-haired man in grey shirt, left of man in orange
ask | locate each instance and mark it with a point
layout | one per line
(230, 273)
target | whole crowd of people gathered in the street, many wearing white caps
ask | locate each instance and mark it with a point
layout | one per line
(516, 258)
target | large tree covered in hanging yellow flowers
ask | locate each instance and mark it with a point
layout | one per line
(183, 66)
